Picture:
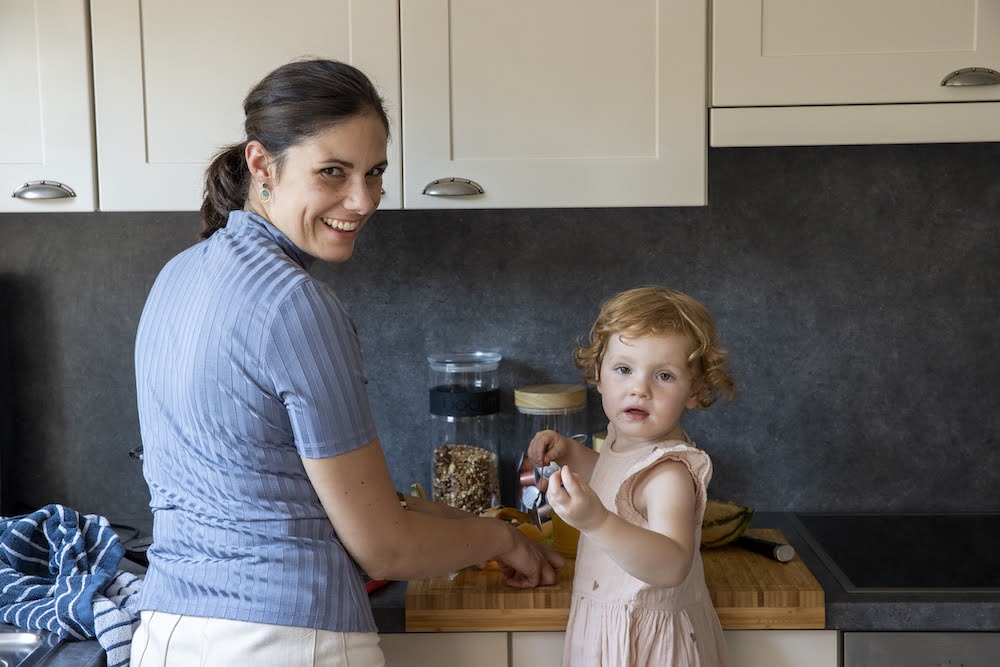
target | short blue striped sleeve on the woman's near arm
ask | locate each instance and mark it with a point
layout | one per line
(315, 360)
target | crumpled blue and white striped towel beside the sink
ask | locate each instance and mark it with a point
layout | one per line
(58, 572)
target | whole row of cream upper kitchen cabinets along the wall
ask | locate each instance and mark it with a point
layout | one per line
(563, 103)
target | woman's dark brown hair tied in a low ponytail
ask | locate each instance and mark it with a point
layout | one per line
(288, 106)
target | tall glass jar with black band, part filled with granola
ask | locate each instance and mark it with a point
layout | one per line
(465, 429)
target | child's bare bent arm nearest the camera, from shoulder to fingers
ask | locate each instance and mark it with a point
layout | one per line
(660, 555)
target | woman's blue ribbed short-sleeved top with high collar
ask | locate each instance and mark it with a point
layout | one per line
(244, 364)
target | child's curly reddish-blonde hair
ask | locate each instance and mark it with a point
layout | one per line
(658, 311)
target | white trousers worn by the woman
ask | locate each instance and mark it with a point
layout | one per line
(169, 640)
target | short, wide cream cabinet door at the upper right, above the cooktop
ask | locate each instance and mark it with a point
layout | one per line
(804, 52)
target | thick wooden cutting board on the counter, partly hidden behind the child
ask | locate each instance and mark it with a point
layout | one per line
(749, 591)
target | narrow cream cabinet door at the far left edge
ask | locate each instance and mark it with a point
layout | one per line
(46, 129)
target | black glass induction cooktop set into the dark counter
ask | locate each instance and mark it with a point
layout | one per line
(901, 553)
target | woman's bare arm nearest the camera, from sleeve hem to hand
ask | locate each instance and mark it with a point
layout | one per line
(389, 542)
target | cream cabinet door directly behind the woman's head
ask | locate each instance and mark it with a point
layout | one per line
(170, 77)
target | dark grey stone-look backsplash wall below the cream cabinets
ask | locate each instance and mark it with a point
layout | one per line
(856, 287)
